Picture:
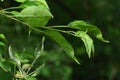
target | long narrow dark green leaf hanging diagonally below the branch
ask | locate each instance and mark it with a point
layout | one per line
(66, 46)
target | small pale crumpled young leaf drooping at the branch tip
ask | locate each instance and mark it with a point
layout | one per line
(87, 41)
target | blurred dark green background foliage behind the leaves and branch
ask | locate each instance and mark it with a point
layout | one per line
(104, 65)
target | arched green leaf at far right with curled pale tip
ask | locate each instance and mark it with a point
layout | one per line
(91, 29)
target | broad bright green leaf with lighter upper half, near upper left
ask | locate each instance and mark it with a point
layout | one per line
(35, 16)
